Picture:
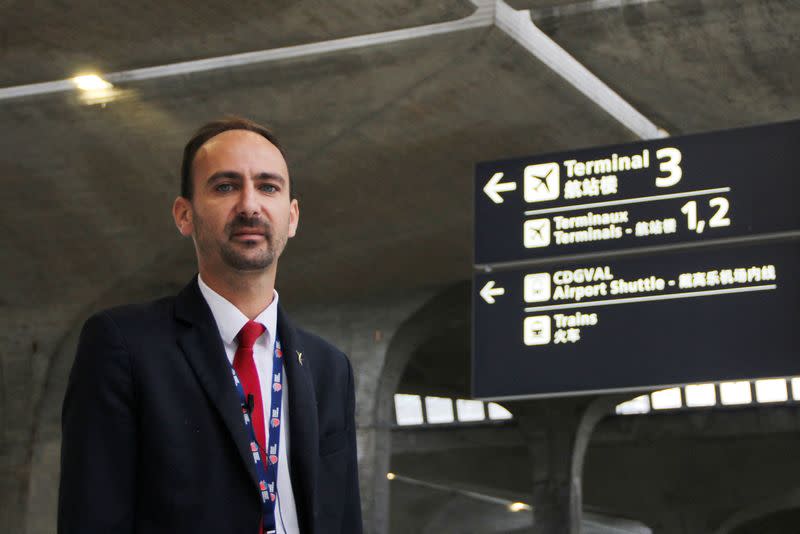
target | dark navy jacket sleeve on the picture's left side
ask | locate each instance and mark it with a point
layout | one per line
(98, 444)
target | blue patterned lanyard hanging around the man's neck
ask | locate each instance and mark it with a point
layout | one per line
(267, 477)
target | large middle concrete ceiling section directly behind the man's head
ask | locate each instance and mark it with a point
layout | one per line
(382, 143)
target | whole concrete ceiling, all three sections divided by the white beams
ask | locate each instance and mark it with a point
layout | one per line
(382, 139)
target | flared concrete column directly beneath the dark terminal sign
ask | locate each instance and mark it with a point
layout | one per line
(558, 433)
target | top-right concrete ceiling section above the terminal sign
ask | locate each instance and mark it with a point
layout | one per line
(691, 65)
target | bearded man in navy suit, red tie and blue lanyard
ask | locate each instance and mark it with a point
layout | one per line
(209, 411)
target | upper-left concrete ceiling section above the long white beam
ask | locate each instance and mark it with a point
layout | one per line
(52, 39)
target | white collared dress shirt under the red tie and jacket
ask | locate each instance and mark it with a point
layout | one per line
(229, 322)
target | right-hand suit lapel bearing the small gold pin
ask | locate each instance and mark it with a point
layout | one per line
(303, 431)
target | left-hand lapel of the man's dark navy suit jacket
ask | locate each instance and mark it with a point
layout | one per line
(201, 344)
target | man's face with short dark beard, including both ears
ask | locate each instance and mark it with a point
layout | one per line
(241, 214)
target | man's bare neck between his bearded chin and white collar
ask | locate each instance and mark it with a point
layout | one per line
(250, 292)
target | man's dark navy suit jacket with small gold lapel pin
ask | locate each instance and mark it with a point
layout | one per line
(153, 439)
